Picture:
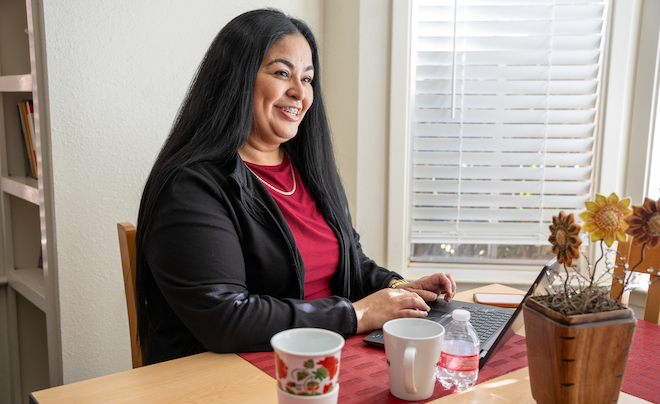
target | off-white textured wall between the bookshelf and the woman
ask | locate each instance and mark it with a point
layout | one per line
(117, 73)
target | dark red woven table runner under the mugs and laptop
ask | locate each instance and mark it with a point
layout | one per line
(363, 371)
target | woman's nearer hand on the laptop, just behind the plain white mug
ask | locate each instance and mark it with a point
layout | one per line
(386, 304)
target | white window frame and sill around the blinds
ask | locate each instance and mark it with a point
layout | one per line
(625, 56)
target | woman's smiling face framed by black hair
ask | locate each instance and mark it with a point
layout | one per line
(283, 90)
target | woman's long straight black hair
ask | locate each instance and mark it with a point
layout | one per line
(215, 119)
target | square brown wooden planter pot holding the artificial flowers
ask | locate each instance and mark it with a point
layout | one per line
(577, 359)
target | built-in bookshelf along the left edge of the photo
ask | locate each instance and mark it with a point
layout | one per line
(30, 338)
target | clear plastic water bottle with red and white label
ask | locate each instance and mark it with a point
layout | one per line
(459, 357)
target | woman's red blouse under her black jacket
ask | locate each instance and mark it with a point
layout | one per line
(315, 240)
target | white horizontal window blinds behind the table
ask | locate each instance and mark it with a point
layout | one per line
(525, 79)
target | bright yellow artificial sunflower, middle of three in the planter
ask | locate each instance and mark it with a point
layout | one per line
(603, 219)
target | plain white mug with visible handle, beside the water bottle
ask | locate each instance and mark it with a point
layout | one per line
(412, 347)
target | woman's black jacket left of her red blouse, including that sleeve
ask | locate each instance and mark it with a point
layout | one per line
(200, 250)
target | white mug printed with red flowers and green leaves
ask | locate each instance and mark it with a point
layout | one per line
(307, 365)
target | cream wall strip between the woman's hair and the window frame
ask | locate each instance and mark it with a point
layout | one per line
(356, 87)
